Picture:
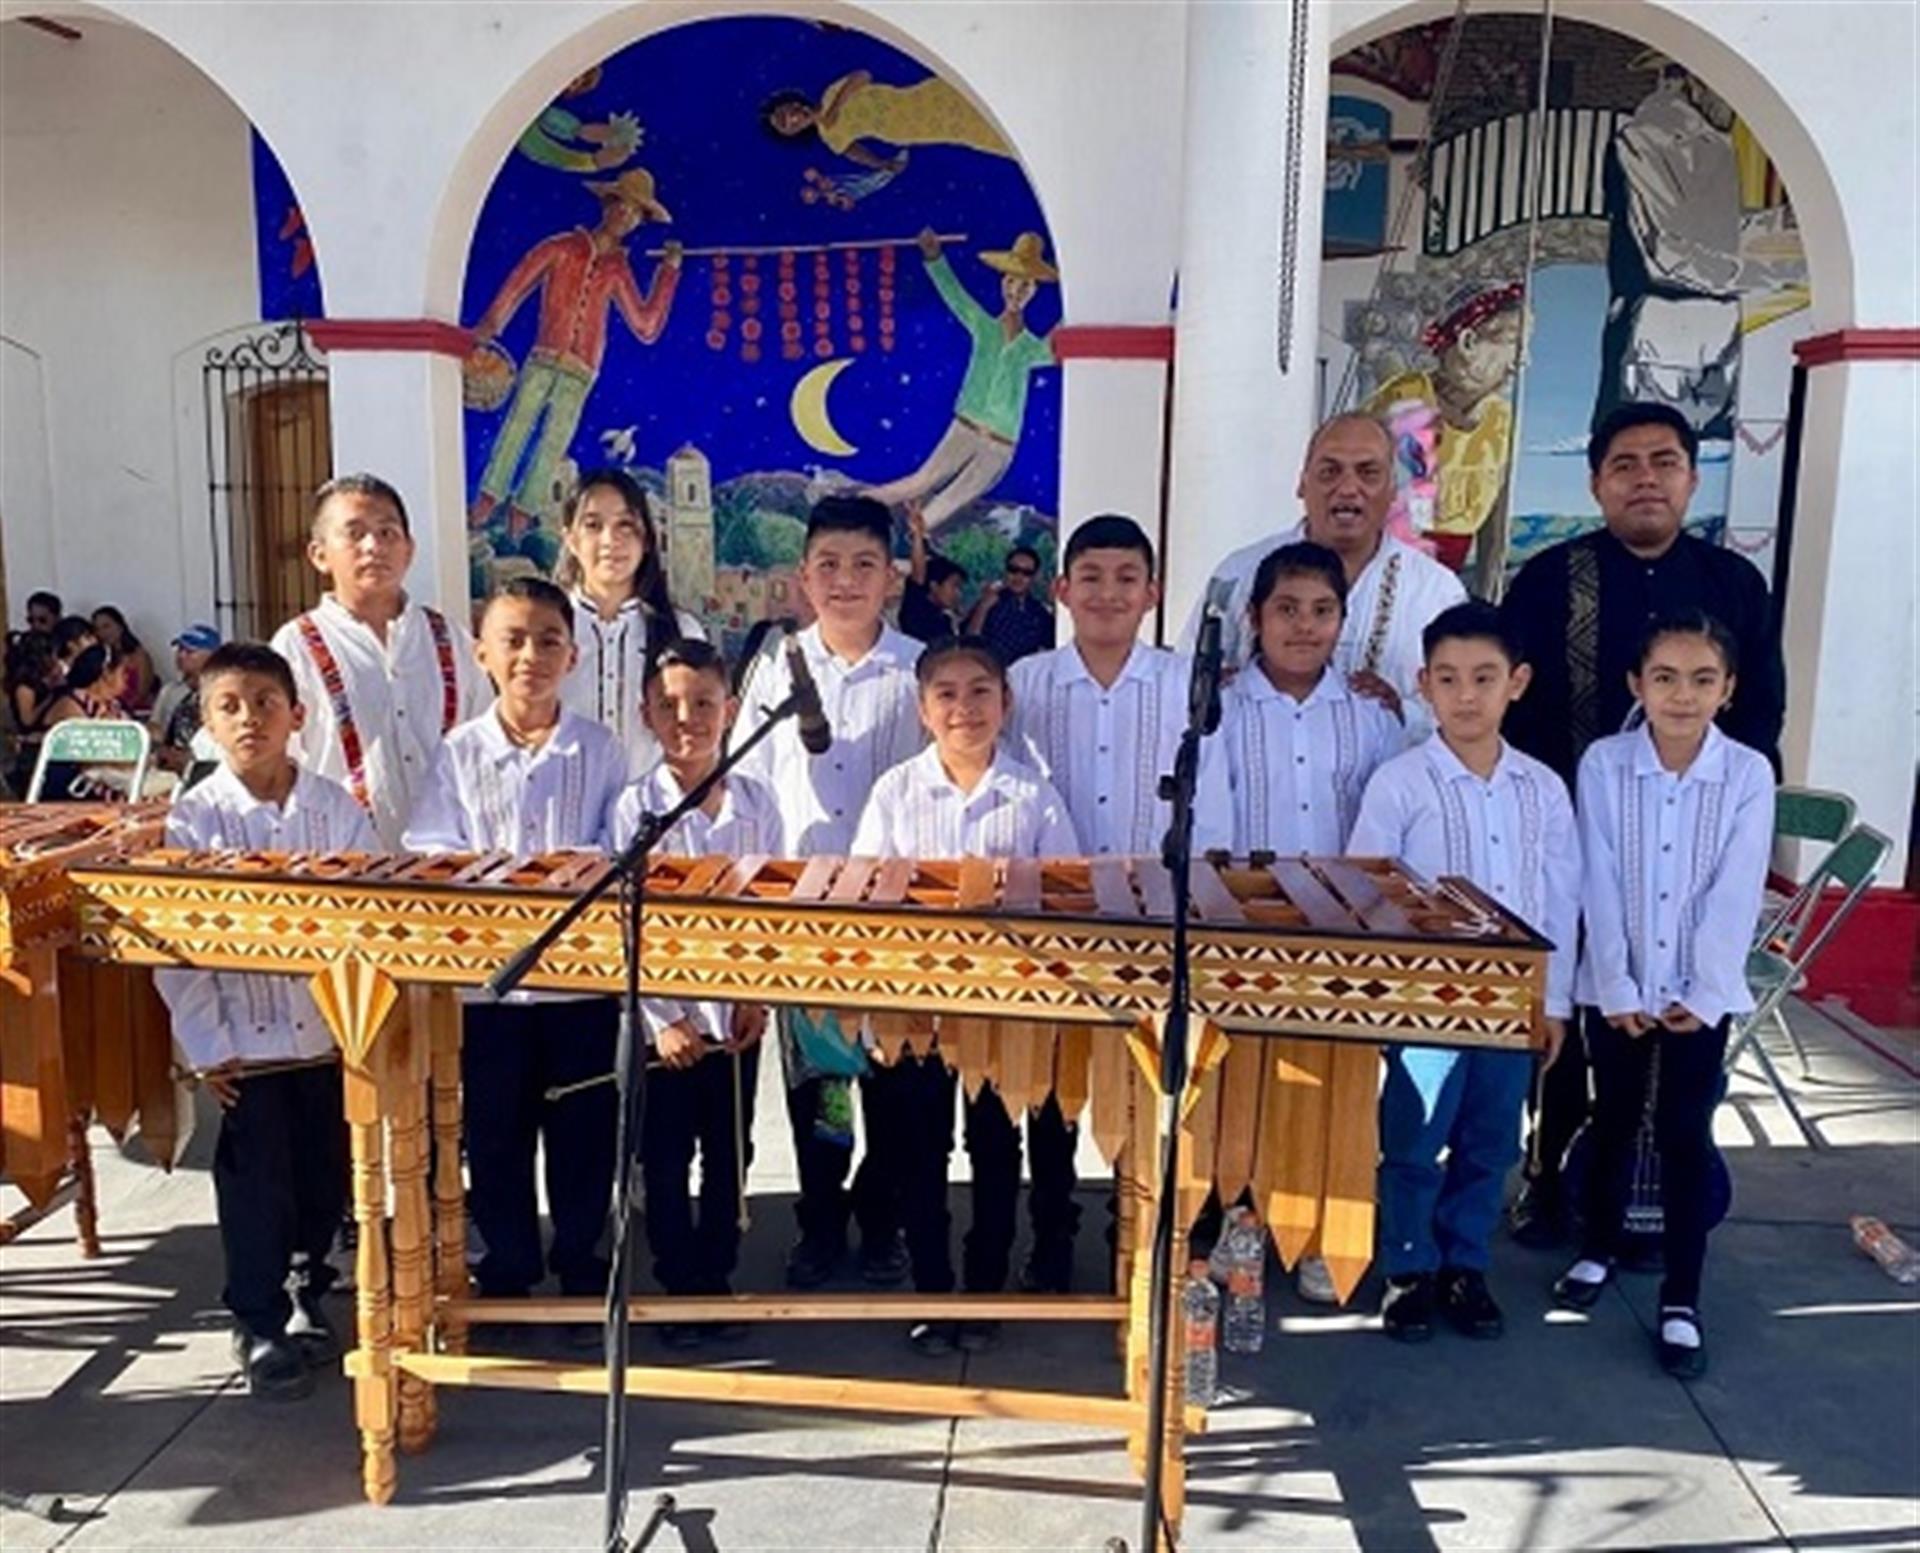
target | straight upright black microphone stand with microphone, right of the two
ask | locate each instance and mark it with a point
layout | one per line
(1180, 790)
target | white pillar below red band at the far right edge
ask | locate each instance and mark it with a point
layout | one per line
(1852, 638)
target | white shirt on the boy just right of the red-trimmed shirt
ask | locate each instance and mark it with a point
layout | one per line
(492, 796)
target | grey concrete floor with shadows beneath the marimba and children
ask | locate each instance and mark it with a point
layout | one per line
(116, 1393)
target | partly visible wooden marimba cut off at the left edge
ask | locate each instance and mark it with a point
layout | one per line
(76, 1039)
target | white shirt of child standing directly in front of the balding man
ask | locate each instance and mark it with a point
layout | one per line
(1297, 769)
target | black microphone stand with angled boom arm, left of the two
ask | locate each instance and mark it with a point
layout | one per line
(631, 1084)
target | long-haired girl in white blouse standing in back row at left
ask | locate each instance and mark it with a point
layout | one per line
(615, 573)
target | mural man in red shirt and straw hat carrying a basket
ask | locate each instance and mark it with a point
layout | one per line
(581, 277)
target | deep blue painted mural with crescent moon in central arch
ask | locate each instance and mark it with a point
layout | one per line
(757, 260)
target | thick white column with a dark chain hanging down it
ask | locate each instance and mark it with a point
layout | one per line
(1239, 419)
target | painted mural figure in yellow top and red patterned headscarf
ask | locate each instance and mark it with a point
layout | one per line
(1476, 346)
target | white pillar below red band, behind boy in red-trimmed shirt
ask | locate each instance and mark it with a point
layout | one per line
(398, 416)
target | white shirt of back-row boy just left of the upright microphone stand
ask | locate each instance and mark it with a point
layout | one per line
(1105, 748)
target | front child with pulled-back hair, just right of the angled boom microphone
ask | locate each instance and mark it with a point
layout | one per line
(963, 798)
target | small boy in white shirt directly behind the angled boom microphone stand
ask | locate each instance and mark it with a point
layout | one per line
(700, 1095)
